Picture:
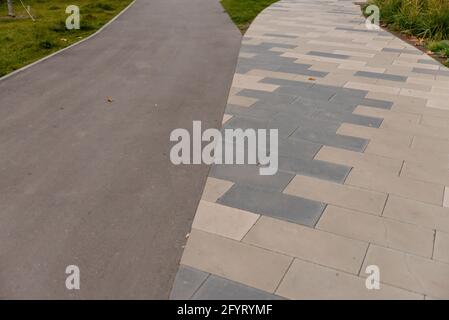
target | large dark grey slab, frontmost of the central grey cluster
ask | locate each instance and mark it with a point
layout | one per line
(273, 204)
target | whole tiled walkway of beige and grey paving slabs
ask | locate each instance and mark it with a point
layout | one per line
(363, 121)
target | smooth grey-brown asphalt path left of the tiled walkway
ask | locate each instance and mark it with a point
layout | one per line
(88, 182)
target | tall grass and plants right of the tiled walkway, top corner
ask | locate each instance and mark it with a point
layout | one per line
(427, 20)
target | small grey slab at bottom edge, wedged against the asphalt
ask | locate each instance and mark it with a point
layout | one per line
(187, 281)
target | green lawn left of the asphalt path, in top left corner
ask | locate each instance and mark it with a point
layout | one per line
(23, 41)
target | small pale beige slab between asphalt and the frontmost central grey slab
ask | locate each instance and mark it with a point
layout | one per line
(223, 220)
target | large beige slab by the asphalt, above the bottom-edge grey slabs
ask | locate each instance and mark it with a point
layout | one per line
(235, 260)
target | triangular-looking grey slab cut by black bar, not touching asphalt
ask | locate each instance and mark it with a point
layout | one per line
(217, 288)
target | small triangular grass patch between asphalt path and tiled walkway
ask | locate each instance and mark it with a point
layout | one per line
(243, 12)
